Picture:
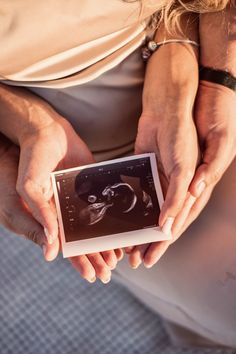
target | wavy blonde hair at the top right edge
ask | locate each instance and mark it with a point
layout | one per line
(171, 11)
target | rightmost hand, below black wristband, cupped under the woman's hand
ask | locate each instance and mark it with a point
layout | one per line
(218, 141)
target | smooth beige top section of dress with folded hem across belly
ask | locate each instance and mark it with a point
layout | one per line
(61, 43)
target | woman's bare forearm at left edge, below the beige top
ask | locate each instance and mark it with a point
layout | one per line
(22, 112)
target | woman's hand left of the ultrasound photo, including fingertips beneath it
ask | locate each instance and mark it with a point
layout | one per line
(57, 146)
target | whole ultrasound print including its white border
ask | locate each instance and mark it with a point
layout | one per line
(108, 205)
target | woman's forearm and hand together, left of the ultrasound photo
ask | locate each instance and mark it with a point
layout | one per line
(47, 142)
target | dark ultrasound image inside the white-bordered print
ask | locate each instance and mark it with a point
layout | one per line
(107, 199)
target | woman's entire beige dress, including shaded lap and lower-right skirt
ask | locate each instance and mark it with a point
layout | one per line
(84, 58)
